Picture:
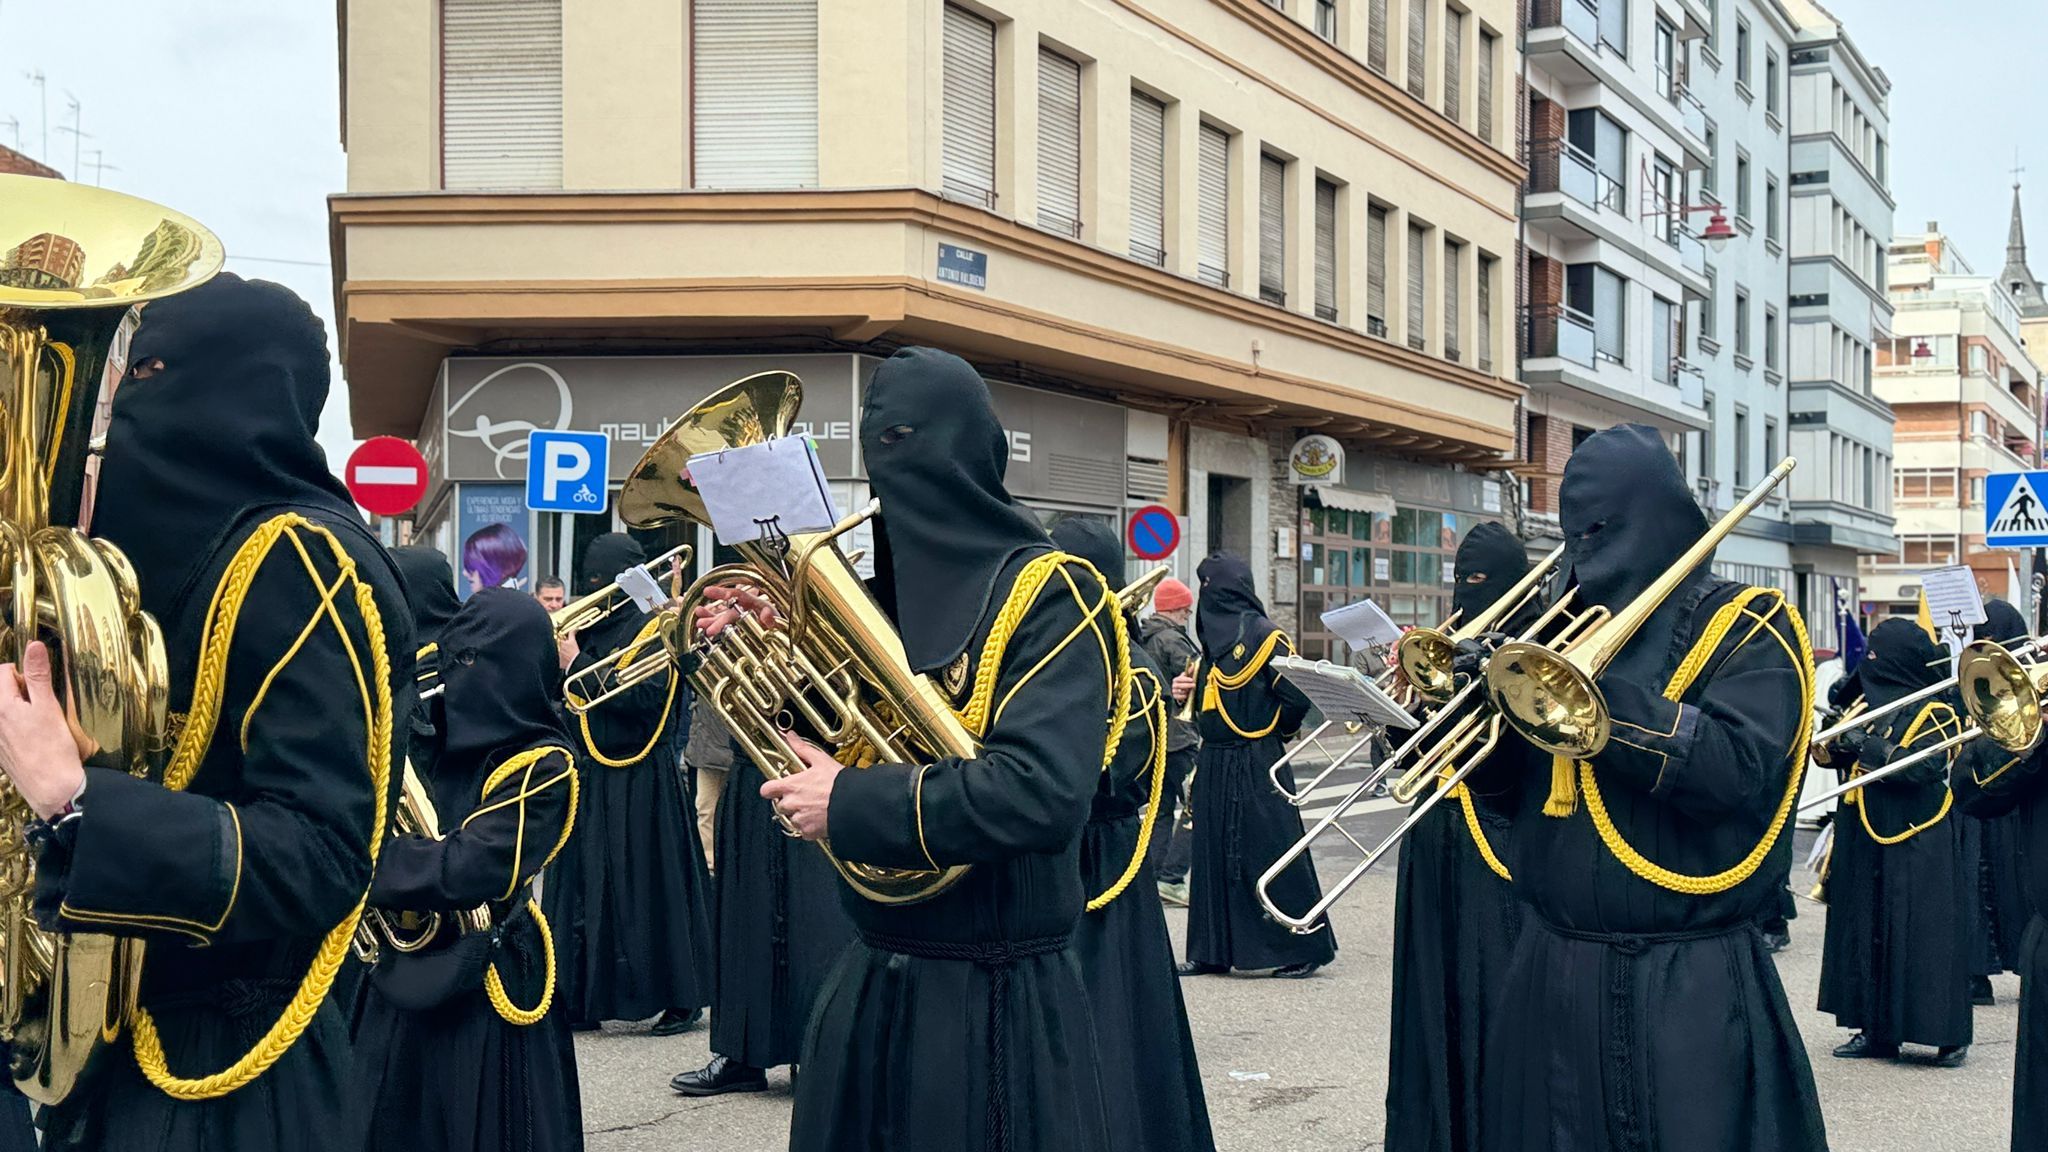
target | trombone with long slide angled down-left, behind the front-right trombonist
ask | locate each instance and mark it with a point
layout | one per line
(1453, 743)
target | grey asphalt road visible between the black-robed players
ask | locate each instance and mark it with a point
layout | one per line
(1304, 1065)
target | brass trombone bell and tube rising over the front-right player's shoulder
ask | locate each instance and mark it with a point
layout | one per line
(1549, 694)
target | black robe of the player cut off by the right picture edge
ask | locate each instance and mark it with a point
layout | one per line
(1996, 784)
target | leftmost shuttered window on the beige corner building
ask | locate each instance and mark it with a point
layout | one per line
(501, 95)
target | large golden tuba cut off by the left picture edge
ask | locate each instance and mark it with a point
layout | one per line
(73, 263)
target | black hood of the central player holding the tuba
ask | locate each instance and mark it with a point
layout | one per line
(937, 460)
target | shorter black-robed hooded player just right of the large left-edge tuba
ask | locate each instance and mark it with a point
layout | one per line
(437, 1067)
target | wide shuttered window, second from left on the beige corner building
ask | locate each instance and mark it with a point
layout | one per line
(755, 89)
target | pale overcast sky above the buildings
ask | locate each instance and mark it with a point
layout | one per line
(226, 110)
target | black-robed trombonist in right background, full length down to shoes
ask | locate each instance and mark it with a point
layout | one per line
(1900, 903)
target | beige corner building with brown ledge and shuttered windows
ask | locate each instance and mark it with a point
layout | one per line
(1218, 222)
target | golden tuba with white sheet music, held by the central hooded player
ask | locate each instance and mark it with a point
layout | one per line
(835, 661)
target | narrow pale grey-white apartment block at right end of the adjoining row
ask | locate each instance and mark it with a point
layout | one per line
(1840, 220)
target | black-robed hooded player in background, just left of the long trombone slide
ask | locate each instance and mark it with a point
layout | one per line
(1242, 825)
